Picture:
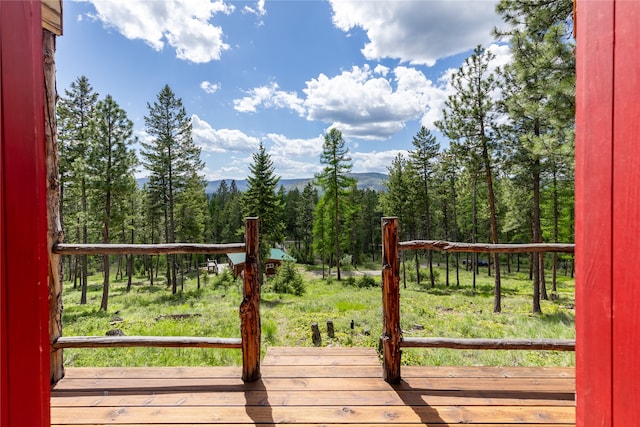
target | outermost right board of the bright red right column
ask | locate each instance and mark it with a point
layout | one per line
(626, 213)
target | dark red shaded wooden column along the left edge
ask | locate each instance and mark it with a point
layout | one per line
(24, 333)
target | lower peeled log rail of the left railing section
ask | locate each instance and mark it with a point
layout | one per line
(146, 341)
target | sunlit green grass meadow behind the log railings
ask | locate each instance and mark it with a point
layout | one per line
(286, 319)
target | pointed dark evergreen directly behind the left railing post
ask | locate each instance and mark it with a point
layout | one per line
(262, 201)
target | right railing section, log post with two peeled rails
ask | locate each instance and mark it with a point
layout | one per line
(392, 339)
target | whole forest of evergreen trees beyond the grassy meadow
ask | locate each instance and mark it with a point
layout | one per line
(506, 176)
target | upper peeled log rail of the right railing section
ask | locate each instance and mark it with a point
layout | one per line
(441, 245)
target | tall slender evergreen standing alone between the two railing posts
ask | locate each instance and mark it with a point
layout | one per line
(336, 182)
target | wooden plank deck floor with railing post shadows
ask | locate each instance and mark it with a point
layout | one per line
(315, 387)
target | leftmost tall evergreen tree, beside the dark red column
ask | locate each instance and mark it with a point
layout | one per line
(75, 111)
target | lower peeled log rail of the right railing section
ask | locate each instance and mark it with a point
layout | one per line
(489, 344)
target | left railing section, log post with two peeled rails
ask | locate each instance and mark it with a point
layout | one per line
(249, 308)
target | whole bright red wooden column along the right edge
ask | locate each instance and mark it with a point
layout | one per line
(607, 213)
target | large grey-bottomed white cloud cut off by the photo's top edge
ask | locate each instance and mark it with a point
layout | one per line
(418, 32)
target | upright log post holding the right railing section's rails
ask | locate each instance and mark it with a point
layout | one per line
(391, 332)
